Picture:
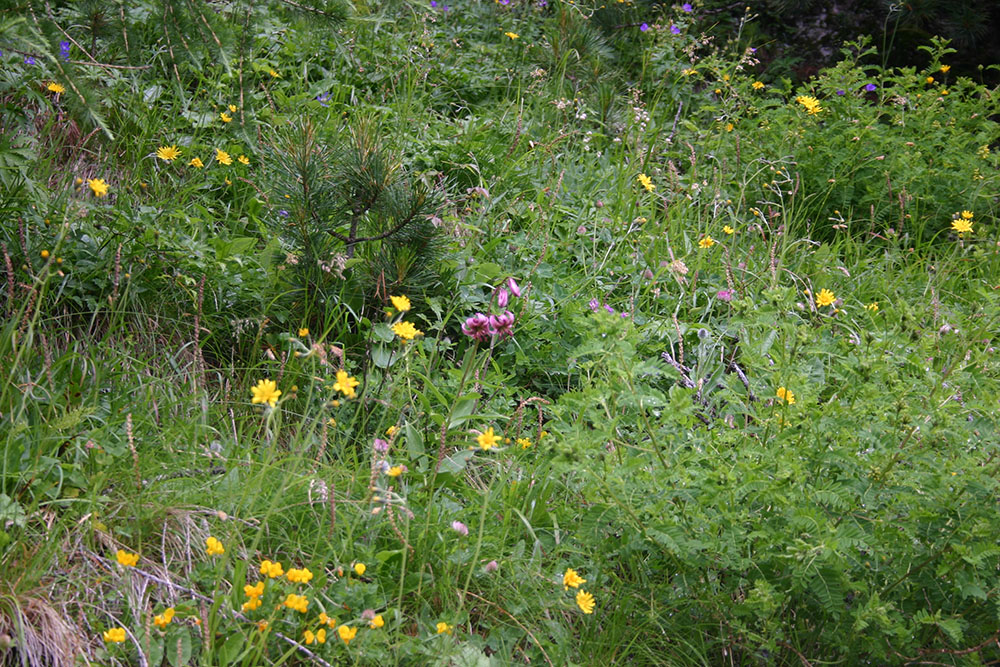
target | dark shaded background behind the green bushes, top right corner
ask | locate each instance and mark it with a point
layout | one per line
(798, 37)
